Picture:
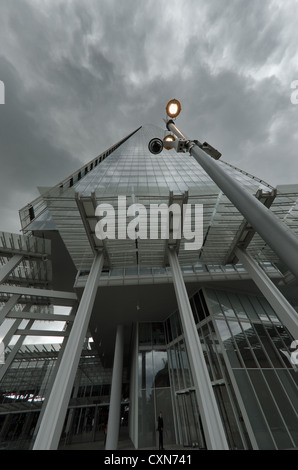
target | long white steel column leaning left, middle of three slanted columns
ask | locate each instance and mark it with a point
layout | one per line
(212, 424)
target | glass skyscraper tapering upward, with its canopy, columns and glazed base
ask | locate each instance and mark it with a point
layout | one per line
(203, 340)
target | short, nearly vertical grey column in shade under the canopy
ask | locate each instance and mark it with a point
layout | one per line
(115, 399)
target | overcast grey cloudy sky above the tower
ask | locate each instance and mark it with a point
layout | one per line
(81, 74)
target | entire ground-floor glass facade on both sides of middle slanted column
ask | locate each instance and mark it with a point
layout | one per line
(247, 352)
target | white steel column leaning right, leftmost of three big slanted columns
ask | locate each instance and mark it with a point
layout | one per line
(54, 415)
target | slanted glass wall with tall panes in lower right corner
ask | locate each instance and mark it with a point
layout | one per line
(257, 347)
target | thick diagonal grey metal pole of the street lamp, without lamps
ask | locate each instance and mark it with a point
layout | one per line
(279, 237)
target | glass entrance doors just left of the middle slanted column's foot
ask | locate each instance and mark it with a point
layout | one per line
(190, 429)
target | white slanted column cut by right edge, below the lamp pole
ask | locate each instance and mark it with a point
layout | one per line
(284, 310)
